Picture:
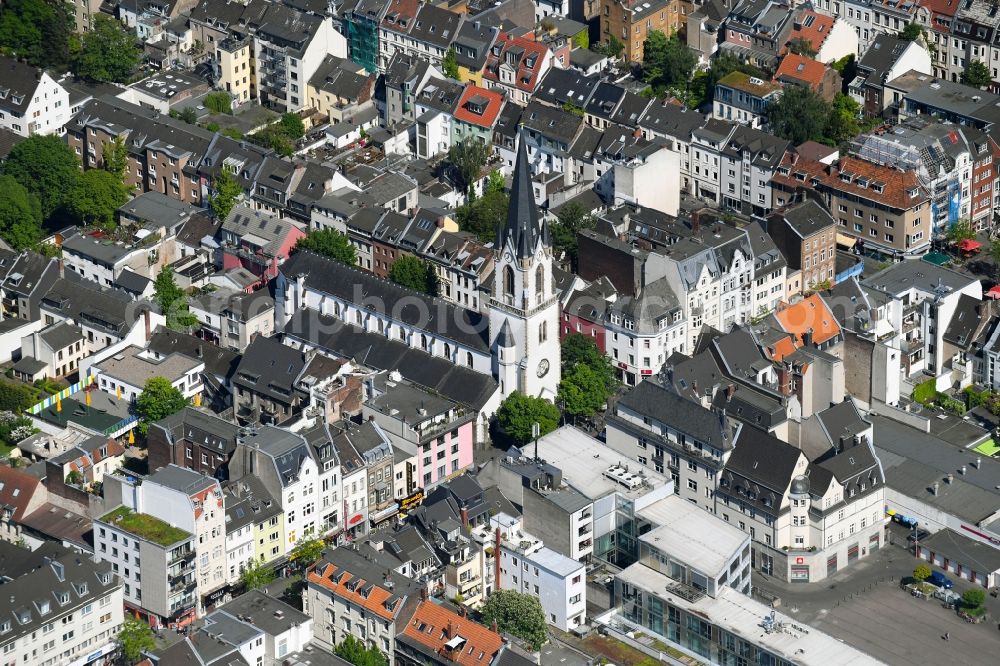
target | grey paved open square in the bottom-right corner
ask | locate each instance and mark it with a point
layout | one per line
(866, 607)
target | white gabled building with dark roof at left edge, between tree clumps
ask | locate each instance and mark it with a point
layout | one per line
(31, 101)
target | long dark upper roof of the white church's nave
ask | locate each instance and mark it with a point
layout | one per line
(446, 320)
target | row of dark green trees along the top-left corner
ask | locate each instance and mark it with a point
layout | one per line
(42, 32)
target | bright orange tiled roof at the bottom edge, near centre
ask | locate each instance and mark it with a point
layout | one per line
(434, 626)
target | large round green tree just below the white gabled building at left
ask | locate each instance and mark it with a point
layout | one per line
(47, 167)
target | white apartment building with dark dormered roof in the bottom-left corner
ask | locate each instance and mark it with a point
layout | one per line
(62, 608)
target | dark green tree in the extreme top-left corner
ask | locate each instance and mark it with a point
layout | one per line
(38, 30)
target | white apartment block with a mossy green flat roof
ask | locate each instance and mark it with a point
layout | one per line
(165, 591)
